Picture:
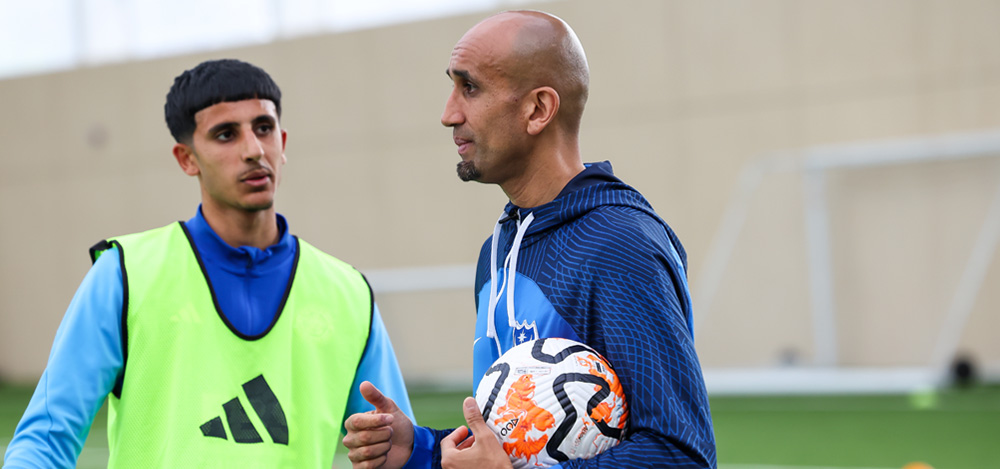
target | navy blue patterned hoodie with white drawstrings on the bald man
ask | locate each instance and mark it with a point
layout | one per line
(599, 266)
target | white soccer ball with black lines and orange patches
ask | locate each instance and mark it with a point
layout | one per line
(551, 400)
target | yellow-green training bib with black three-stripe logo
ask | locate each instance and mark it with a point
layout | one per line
(196, 394)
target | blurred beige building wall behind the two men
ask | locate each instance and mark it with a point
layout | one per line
(684, 96)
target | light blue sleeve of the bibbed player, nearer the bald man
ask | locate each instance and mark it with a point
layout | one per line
(379, 365)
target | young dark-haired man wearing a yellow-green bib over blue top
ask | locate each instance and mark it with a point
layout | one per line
(222, 341)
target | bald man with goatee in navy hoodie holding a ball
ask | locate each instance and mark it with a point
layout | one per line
(590, 258)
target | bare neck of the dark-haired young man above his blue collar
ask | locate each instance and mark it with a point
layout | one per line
(243, 228)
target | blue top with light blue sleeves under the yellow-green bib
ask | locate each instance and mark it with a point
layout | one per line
(86, 358)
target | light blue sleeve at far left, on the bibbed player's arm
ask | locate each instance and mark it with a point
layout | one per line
(84, 363)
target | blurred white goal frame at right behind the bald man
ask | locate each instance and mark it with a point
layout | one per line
(825, 375)
